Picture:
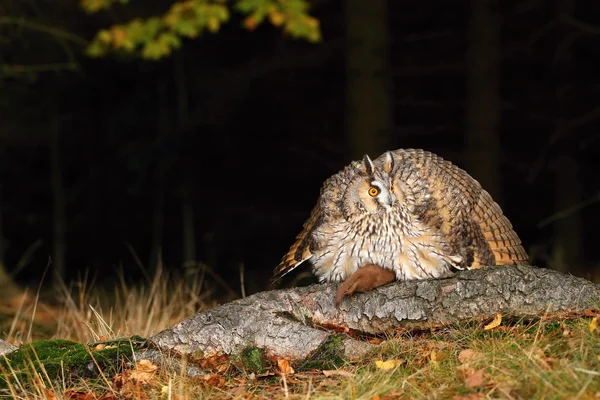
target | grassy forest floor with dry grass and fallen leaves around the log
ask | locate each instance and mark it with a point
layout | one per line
(503, 359)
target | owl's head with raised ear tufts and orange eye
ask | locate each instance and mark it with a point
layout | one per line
(371, 189)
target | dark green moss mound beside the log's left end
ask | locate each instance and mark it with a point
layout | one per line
(63, 358)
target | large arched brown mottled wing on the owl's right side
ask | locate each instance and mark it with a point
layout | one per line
(447, 198)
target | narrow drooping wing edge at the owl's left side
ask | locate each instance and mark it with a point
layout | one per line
(301, 249)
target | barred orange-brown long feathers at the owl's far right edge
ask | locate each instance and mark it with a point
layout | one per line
(498, 232)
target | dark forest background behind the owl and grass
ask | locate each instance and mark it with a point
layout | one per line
(214, 154)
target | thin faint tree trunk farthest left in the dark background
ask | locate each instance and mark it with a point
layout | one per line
(59, 217)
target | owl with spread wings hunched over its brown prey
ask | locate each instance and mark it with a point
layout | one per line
(408, 214)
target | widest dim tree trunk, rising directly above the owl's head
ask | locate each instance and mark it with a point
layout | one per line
(368, 83)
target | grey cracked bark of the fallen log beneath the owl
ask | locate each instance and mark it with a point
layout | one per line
(294, 323)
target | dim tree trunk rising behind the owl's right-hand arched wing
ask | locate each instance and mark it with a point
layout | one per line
(483, 103)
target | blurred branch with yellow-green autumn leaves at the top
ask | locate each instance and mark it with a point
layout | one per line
(159, 36)
